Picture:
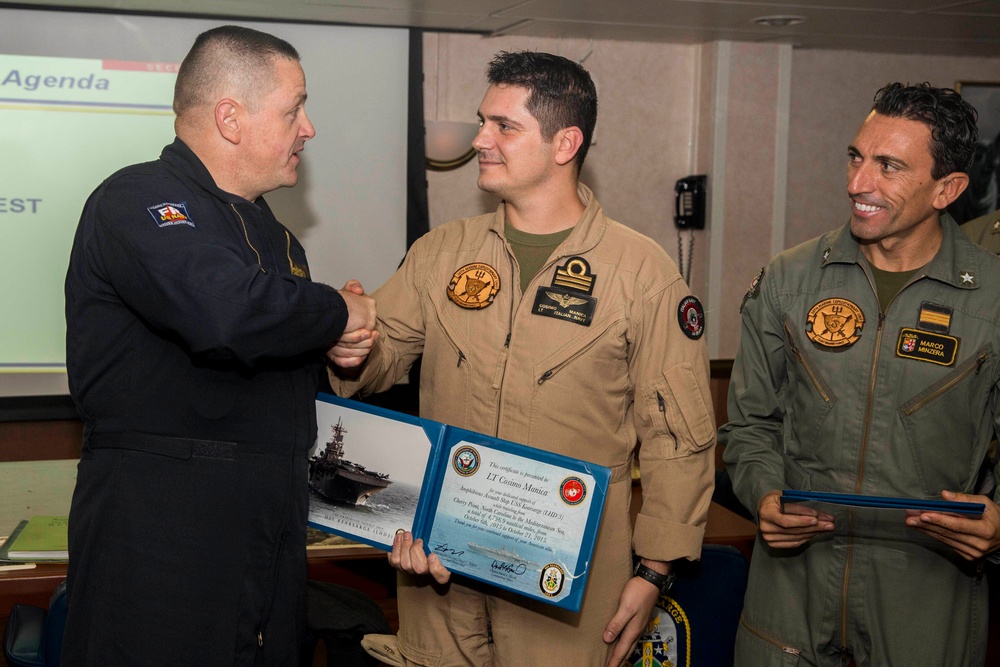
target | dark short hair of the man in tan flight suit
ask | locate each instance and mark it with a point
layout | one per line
(561, 92)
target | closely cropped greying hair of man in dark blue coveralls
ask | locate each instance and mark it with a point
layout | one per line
(242, 56)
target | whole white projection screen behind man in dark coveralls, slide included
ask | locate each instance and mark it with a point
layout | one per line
(83, 95)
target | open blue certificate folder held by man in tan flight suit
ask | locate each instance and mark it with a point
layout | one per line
(493, 510)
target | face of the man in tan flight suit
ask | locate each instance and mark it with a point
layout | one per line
(515, 160)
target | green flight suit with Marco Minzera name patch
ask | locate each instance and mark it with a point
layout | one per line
(829, 394)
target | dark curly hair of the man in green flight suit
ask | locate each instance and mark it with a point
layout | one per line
(951, 119)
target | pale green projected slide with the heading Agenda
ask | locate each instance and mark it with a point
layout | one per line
(71, 123)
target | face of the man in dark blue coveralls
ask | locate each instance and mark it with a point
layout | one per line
(276, 132)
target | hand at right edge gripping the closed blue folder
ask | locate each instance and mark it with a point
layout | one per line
(971, 538)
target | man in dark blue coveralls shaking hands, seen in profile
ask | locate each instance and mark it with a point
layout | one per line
(195, 340)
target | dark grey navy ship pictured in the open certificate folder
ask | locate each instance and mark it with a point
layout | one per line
(335, 478)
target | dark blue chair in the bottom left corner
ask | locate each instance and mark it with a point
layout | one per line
(33, 637)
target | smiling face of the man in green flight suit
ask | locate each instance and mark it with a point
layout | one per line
(894, 198)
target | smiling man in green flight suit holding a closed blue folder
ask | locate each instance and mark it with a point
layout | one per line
(869, 363)
